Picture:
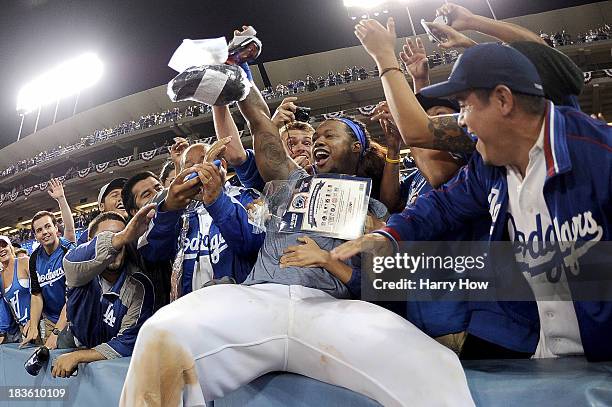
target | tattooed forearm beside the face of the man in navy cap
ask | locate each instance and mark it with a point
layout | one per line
(449, 136)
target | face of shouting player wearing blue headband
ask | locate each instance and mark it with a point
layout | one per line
(335, 149)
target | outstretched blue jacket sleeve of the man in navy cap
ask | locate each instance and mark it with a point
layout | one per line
(460, 200)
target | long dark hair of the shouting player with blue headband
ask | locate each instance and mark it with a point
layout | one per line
(372, 164)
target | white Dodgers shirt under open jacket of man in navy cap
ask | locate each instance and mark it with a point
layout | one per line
(530, 223)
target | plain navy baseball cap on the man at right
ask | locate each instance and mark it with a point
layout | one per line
(486, 66)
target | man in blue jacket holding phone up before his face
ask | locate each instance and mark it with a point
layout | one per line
(203, 226)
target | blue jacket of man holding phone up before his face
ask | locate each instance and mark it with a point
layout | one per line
(220, 241)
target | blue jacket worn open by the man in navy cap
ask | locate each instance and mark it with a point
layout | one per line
(577, 191)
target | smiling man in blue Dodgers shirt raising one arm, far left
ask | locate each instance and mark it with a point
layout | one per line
(48, 284)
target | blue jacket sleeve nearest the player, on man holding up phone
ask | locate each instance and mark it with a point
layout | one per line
(232, 219)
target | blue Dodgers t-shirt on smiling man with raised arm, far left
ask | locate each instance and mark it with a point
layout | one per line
(51, 281)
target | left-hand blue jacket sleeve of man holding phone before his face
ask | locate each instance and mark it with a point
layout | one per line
(160, 241)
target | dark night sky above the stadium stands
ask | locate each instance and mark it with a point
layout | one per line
(135, 39)
